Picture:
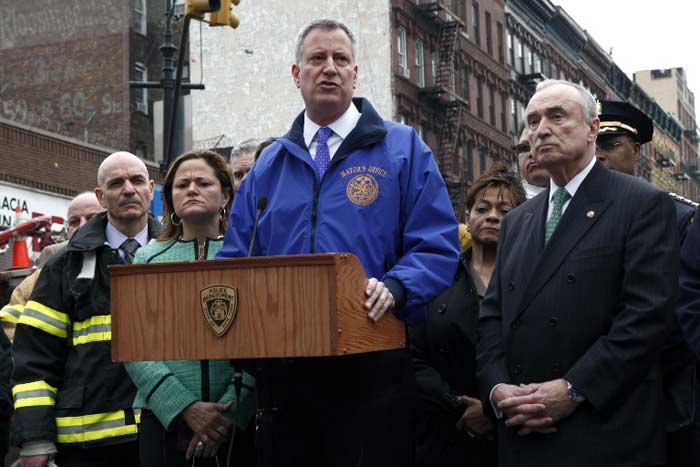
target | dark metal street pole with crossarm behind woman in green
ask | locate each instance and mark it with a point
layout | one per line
(171, 84)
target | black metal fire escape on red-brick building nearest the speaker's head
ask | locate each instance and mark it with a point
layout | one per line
(449, 104)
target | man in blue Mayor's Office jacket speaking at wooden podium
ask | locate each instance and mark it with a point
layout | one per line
(344, 180)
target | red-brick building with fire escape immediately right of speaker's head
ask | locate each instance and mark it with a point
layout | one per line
(451, 84)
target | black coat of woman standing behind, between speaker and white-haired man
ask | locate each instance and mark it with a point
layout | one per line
(443, 349)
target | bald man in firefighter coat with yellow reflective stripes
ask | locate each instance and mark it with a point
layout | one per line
(71, 401)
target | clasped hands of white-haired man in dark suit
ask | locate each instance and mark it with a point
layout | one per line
(536, 407)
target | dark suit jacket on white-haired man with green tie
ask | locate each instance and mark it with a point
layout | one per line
(593, 306)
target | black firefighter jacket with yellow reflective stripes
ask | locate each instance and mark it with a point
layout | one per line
(66, 387)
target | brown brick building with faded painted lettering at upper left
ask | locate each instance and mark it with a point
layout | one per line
(65, 67)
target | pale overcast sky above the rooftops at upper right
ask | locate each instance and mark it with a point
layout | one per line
(643, 34)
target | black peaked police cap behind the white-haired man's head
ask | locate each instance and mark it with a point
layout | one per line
(622, 118)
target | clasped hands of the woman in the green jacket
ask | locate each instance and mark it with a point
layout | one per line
(210, 426)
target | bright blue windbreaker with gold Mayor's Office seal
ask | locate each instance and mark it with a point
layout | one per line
(382, 198)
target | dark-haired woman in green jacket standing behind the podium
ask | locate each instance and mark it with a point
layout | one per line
(192, 408)
